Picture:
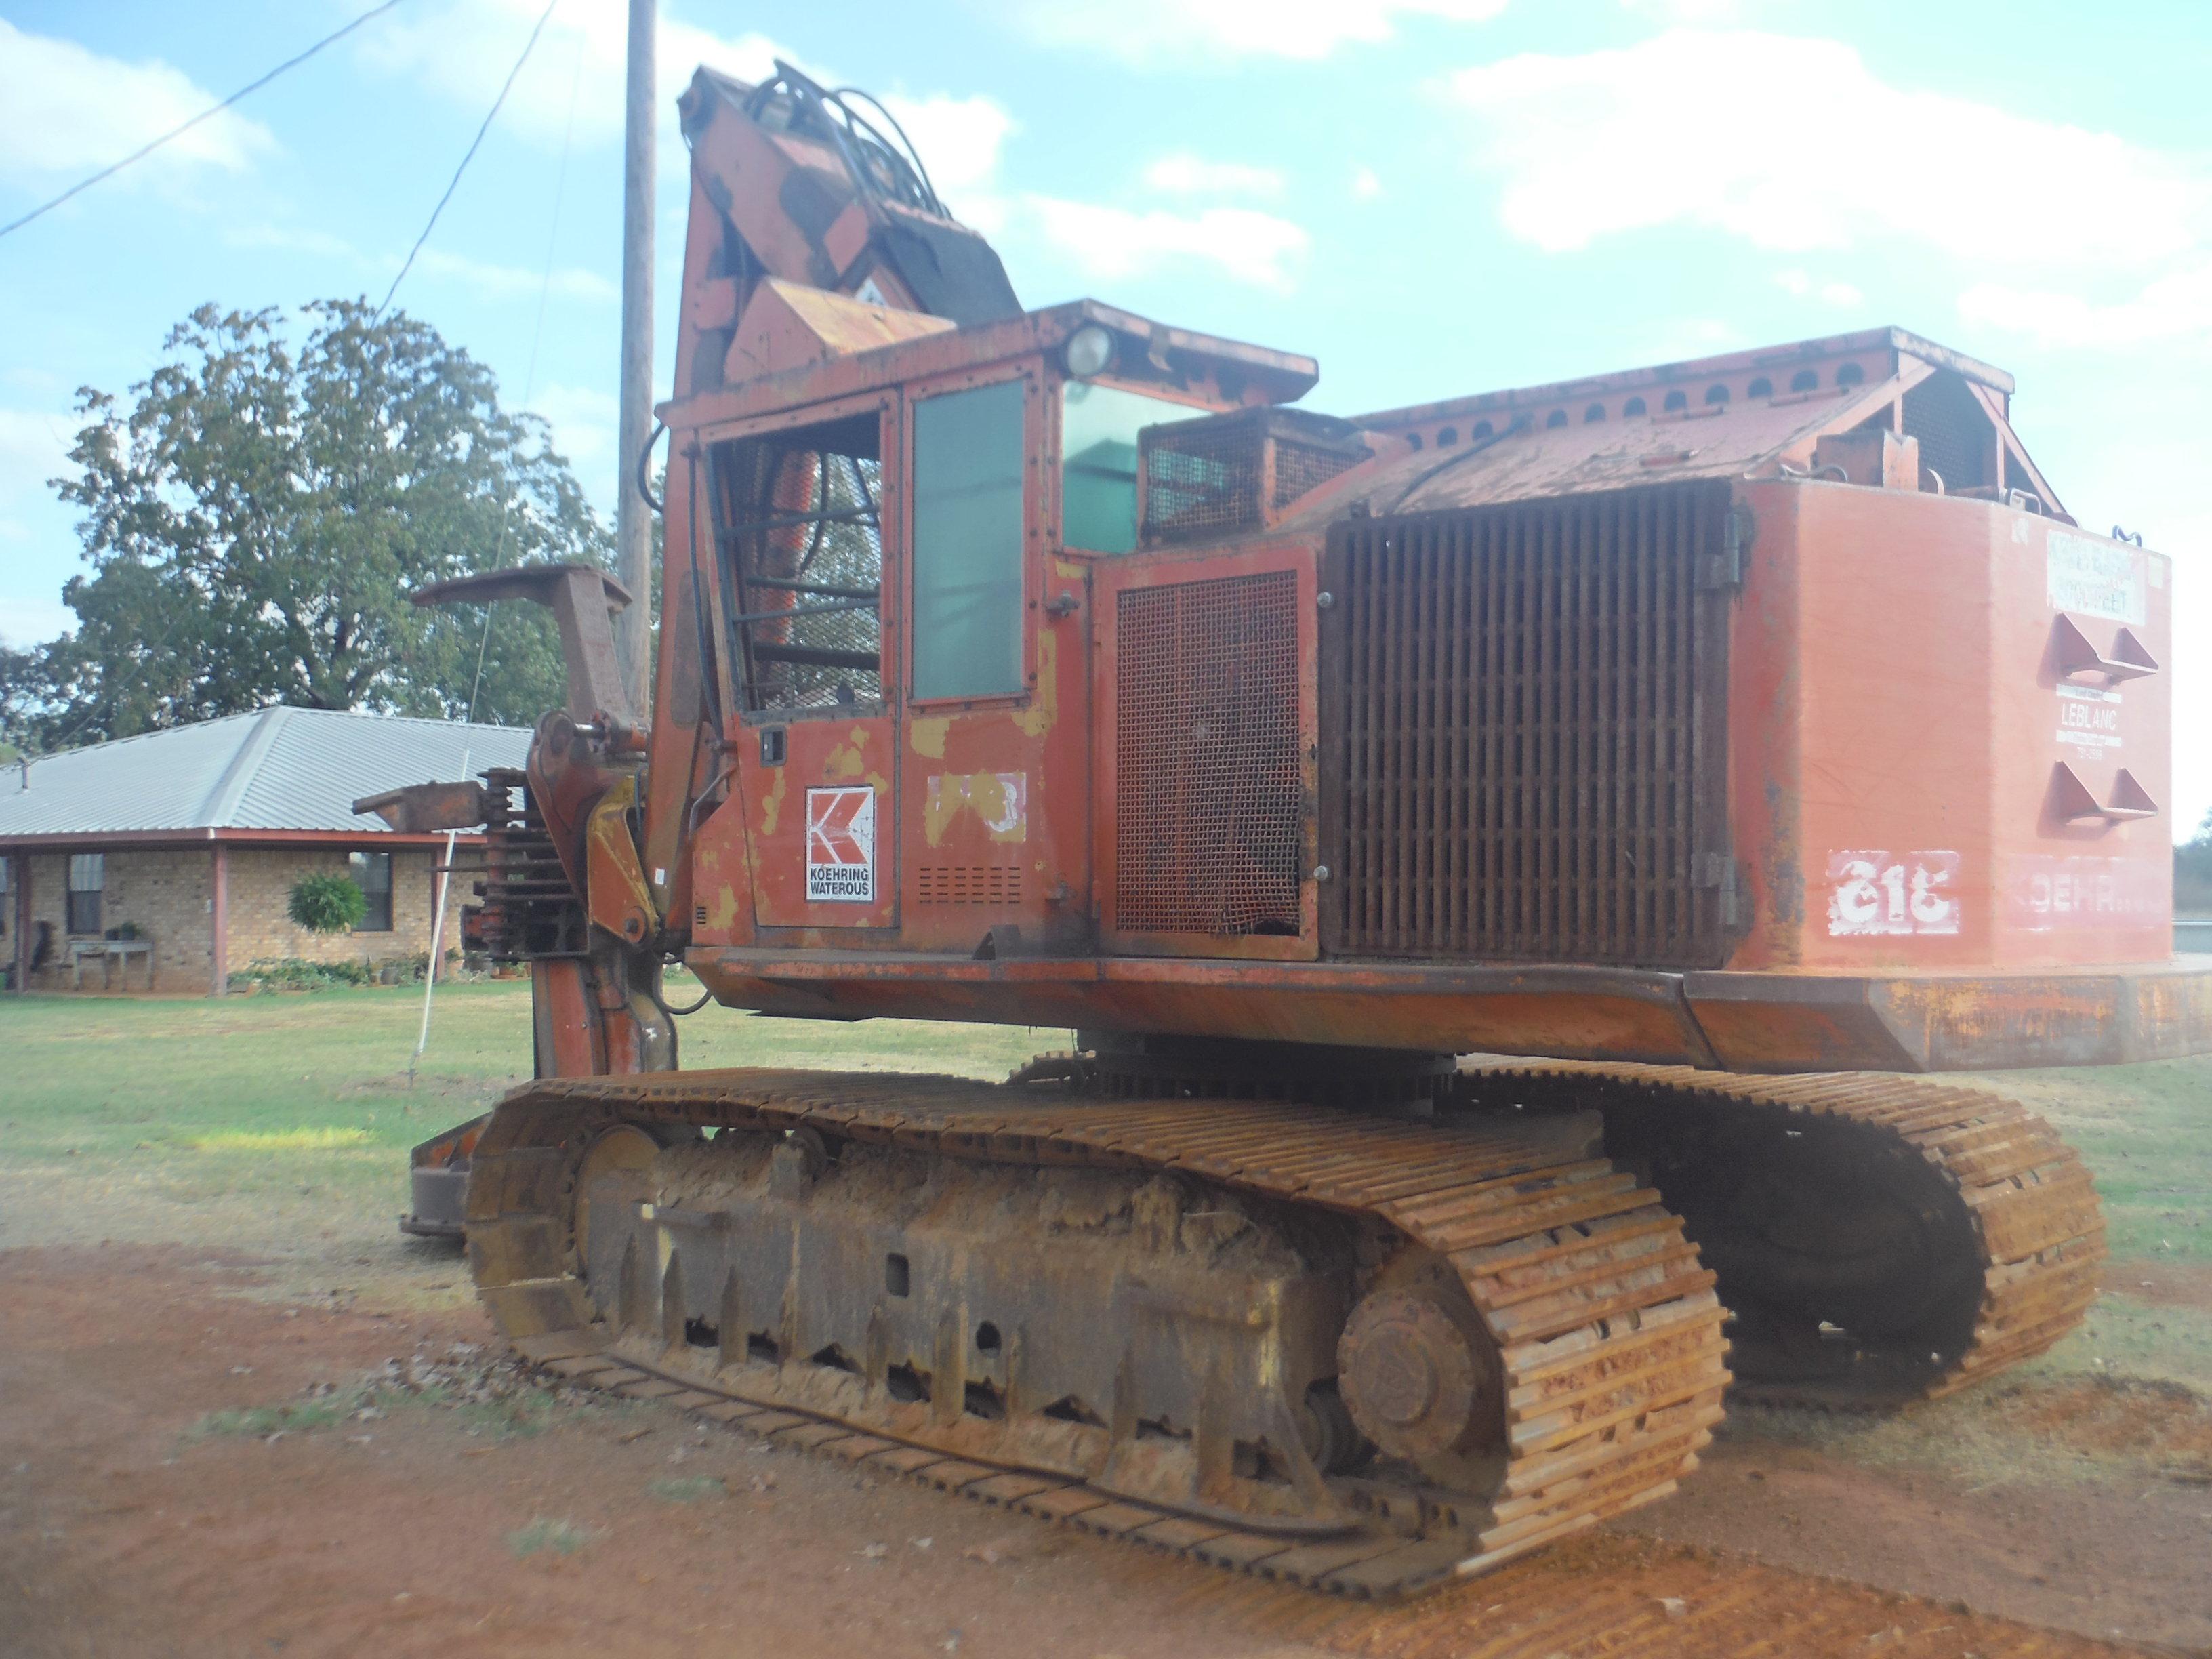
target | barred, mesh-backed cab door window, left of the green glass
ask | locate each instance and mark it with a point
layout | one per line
(800, 532)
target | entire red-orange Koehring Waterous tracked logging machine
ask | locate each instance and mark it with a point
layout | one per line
(1729, 740)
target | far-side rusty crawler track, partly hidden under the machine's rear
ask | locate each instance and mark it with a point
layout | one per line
(2016, 1229)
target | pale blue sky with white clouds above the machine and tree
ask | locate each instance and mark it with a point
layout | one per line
(1430, 196)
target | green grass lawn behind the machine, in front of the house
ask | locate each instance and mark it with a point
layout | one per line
(280, 1125)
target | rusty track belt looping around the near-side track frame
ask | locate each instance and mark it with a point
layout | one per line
(1605, 1319)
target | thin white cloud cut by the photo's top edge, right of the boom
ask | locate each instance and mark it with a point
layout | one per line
(1209, 32)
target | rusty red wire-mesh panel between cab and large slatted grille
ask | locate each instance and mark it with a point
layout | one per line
(1207, 751)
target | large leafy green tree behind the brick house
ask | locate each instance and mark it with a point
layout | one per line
(262, 512)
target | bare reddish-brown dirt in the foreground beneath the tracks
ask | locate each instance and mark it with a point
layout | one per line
(185, 1472)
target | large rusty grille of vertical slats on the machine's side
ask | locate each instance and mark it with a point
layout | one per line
(1523, 733)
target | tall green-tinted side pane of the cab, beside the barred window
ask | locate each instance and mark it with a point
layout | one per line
(968, 543)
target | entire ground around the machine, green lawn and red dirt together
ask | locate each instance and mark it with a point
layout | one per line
(242, 1417)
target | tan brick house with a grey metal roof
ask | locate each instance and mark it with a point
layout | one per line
(167, 862)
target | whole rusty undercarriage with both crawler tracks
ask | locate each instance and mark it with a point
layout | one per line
(1364, 1348)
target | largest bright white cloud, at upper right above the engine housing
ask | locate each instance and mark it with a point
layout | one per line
(1658, 134)
